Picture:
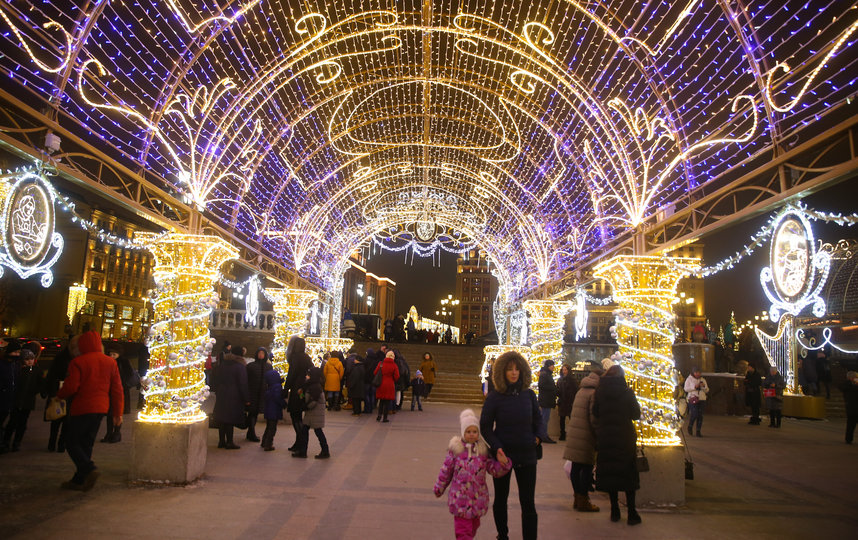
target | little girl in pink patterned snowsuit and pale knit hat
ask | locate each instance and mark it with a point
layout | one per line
(465, 467)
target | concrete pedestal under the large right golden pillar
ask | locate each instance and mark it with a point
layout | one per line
(664, 483)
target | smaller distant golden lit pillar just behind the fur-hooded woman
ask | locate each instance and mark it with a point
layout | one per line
(547, 318)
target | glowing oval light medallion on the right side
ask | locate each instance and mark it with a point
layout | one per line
(790, 258)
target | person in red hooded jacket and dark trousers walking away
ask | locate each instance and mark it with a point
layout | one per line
(93, 381)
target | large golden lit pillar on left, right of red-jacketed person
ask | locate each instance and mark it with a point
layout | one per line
(186, 269)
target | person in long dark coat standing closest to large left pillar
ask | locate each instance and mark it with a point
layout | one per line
(232, 398)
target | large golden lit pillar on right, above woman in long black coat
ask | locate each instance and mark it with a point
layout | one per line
(644, 288)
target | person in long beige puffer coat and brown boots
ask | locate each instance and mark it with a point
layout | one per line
(581, 441)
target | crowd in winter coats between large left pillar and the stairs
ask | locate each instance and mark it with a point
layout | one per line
(376, 382)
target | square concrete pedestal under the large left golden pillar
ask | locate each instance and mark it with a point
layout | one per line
(168, 453)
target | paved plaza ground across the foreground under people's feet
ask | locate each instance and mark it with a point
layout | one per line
(750, 482)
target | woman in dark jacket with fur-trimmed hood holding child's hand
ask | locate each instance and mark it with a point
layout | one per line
(512, 425)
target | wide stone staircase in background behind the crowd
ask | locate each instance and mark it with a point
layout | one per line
(457, 366)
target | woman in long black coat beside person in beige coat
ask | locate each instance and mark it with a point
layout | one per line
(615, 407)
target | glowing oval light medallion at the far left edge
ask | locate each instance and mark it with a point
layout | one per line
(29, 223)
